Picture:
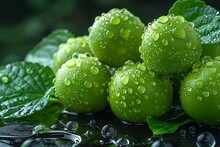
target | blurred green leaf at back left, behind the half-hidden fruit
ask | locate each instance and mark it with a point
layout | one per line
(43, 52)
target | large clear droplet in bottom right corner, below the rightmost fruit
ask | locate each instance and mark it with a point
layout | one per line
(205, 139)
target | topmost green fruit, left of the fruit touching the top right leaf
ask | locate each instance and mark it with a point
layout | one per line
(115, 37)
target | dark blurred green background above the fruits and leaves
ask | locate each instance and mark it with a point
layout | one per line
(23, 23)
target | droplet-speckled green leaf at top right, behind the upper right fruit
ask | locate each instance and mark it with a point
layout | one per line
(205, 18)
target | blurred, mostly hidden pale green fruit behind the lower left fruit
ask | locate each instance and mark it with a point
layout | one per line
(66, 50)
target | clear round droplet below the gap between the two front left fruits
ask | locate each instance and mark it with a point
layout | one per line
(108, 132)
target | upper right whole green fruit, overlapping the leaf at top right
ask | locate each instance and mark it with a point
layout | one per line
(170, 45)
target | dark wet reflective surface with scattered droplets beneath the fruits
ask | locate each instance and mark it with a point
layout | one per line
(104, 129)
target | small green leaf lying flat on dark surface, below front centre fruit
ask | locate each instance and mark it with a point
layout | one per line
(159, 127)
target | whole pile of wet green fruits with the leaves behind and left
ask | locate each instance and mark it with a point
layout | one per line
(137, 70)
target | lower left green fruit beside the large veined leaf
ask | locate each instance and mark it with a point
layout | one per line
(81, 85)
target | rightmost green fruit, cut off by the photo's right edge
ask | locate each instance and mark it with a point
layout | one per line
(200, 92)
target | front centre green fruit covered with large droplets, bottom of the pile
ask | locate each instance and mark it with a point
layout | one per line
(135, 94)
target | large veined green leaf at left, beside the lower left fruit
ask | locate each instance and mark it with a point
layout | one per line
(25, 89)
